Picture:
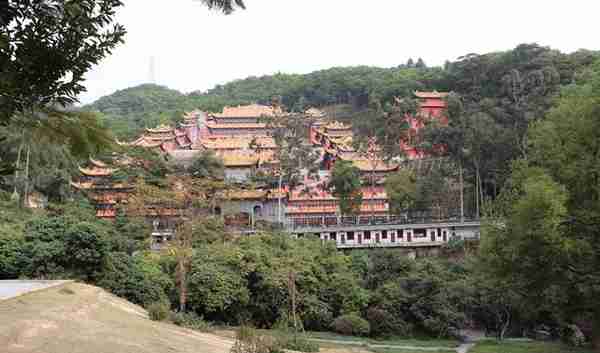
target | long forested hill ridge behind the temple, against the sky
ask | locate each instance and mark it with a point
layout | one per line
(474, 76)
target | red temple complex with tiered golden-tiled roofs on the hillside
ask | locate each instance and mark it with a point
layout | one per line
(240, 137)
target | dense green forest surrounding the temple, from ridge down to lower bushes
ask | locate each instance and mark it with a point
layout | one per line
(523, 131)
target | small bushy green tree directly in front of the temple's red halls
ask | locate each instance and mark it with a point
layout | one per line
(346, 186)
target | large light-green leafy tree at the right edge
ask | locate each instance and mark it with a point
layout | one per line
(548, 215)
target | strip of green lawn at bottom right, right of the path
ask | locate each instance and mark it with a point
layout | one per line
(525, 347)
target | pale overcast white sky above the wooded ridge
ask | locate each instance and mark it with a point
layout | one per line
(195, 49)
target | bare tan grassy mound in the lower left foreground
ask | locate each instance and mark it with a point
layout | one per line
(82, 318)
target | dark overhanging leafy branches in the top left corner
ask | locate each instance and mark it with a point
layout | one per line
(33, 31)
